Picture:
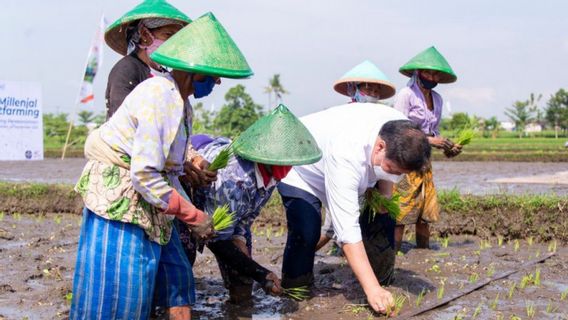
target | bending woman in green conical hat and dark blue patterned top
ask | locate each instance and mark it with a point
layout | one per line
(264, 154)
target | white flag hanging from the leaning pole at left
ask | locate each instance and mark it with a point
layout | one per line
(94, 61)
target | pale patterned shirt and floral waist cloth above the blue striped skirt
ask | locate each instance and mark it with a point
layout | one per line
(150, 131)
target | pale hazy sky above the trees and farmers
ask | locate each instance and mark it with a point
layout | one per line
(501, 51)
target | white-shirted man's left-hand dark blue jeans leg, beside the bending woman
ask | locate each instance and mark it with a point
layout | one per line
(303, 213)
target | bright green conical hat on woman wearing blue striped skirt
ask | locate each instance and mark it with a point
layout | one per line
(203, 46)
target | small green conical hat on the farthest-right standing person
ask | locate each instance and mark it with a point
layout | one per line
(430, 59)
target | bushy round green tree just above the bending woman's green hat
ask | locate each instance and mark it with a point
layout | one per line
(239, 112)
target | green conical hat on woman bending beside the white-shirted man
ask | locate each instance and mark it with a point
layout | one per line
(278, 138)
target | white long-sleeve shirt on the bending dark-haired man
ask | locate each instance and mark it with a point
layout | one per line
(346, 135)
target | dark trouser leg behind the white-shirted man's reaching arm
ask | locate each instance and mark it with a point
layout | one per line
(378, 238)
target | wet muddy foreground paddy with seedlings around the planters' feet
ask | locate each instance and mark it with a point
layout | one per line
(38, 255)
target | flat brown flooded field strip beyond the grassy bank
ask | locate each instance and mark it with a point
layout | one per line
(467, 177)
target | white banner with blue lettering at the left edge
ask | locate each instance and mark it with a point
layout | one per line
(21, 121)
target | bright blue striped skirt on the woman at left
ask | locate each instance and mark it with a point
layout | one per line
(120, 273)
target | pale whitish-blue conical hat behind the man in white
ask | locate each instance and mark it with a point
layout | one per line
(366, 72)
